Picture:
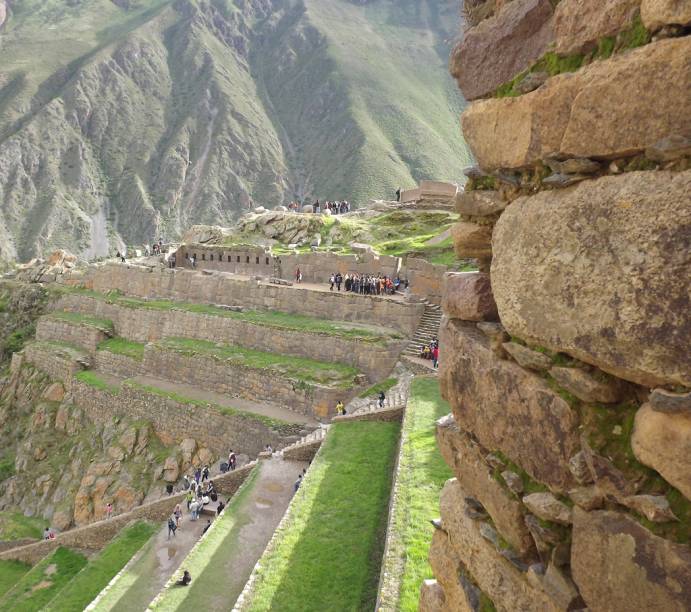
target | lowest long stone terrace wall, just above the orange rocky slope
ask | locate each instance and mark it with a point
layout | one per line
(173, 420)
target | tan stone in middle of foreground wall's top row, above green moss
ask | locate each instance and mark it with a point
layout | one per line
(578, 24)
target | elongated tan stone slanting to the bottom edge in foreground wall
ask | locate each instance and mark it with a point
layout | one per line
(505, 585)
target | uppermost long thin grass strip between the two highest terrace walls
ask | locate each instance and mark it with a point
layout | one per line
(265, 318)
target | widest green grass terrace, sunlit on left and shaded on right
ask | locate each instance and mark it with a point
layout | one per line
(328, 555)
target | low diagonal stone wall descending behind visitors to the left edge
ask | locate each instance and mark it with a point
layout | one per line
(95, 536)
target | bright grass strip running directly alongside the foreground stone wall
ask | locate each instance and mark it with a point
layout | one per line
(422, 473)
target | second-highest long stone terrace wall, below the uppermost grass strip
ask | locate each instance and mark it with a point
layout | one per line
(375, 359)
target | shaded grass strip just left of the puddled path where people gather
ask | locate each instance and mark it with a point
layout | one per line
(89, 582)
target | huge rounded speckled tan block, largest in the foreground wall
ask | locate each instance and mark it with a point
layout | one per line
(595, 271)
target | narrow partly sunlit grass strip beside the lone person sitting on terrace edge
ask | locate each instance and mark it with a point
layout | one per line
(207, 561)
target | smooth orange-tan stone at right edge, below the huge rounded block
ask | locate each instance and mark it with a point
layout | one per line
(663, 442)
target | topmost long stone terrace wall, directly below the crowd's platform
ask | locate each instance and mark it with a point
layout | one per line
(219, 288)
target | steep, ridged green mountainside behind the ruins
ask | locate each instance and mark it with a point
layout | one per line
(123, 120)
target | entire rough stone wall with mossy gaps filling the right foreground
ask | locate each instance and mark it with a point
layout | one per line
(566, 359)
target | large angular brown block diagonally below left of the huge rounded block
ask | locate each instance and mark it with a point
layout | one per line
(506, 407)
